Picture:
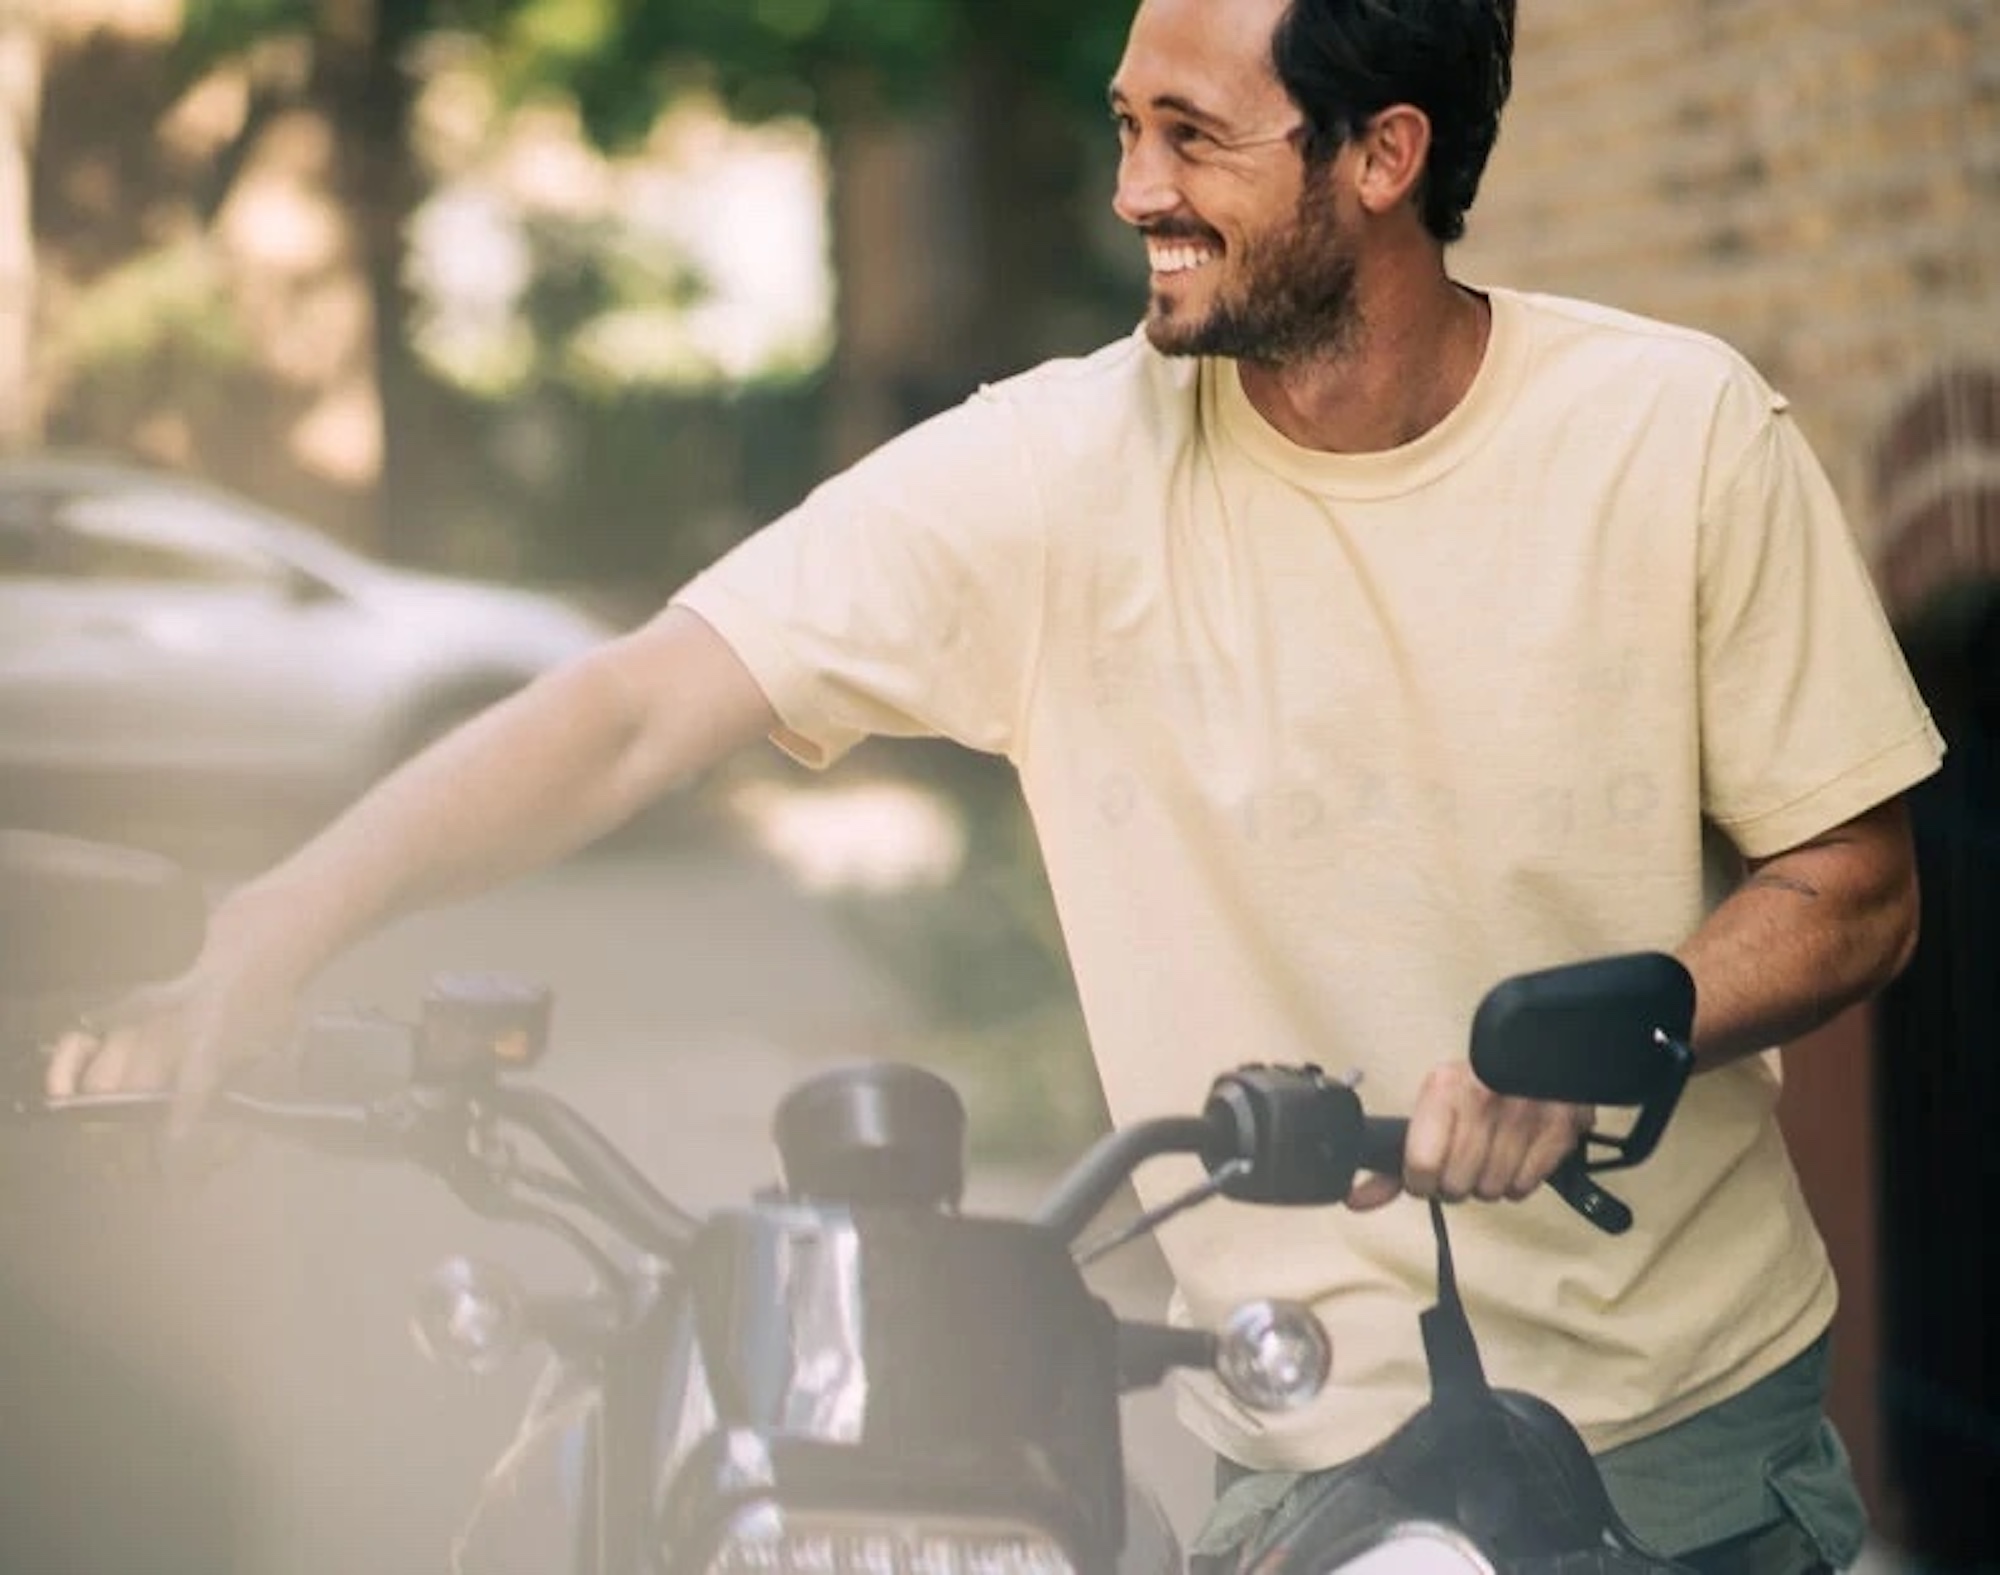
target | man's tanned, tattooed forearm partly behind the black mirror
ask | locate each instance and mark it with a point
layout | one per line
(1807, 934)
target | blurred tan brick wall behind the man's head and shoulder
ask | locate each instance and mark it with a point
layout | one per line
(1819, 185)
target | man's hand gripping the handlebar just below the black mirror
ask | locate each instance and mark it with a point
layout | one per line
(1471, 1142)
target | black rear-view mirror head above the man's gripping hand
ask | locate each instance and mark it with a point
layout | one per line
(1605, 1032)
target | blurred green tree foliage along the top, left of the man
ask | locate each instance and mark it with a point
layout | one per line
(1023, 85)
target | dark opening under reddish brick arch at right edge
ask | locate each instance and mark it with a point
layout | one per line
(1939, 1082)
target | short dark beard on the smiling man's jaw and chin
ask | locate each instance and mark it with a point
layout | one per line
(1293, 297)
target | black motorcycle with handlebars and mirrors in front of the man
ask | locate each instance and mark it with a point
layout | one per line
(849, 1374)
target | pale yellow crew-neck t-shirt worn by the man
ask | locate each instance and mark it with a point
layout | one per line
(1323, 747)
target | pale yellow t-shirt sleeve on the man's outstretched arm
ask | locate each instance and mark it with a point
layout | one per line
(901, 599)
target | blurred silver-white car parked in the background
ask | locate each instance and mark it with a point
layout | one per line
(173, 649)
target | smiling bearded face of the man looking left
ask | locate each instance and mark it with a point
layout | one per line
(1249, 257)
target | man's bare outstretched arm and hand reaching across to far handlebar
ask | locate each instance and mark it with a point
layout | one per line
(549, 771)
